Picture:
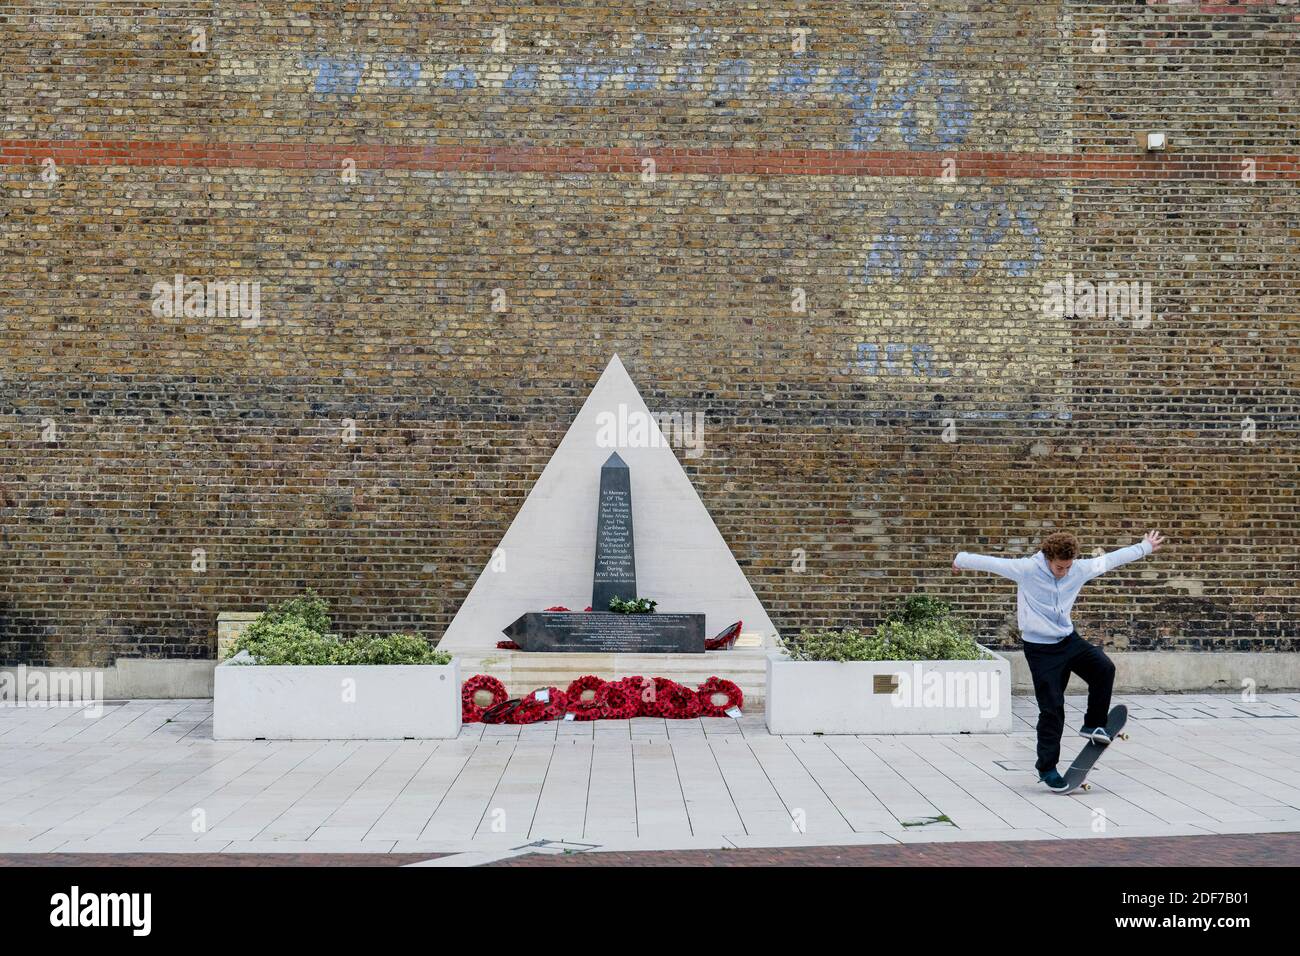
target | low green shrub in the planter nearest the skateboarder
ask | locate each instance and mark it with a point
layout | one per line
(894, 641)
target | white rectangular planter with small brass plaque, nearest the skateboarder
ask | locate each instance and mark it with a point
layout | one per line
(890, 697)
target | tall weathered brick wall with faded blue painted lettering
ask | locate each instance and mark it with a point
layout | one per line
(922, 172)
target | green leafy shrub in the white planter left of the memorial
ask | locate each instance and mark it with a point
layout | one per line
(294, 633)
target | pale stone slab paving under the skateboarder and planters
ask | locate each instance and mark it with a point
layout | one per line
(146, 777)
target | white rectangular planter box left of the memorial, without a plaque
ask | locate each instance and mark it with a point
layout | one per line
(336, 702)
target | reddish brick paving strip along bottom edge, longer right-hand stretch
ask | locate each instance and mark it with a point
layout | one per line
(1237, 850)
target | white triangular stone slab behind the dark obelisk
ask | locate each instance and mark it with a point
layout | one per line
(548, 555)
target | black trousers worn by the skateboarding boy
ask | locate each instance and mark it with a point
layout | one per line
(1051, 667)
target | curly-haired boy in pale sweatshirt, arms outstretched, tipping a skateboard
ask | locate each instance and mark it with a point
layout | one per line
(1048, 583)
